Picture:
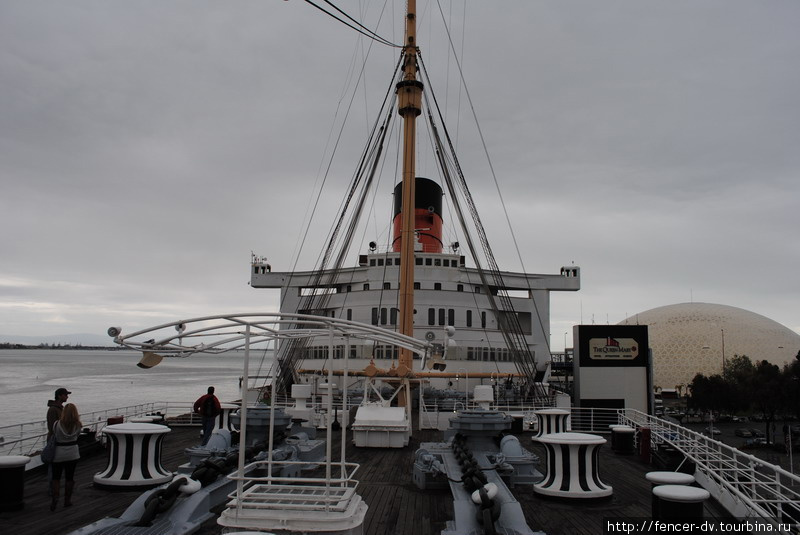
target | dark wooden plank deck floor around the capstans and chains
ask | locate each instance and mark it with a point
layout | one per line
(396, 505)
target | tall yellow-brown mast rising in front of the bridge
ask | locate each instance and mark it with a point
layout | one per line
(409, 106)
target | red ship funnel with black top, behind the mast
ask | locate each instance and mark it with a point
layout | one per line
(427, 216)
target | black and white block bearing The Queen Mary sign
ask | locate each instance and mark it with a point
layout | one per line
(613, 368)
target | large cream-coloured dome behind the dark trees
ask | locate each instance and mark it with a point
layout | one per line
(690, 338)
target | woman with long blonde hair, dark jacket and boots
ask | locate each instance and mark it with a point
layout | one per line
(66, 431)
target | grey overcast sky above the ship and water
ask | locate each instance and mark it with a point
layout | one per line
(147, 147)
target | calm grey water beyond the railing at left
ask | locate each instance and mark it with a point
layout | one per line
(108, 379)
